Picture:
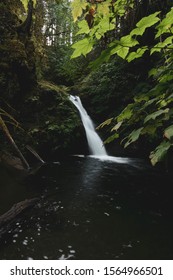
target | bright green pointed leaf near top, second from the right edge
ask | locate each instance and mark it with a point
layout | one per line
(144, 23)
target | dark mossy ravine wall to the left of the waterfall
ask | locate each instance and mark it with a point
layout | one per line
(48, 120)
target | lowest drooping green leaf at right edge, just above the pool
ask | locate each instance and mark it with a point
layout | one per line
(159, 153)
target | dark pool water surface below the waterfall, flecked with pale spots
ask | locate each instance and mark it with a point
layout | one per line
(90, 209)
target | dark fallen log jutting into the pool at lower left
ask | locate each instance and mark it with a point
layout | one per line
(8, 218)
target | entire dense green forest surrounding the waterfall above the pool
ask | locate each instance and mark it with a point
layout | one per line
(116, 54)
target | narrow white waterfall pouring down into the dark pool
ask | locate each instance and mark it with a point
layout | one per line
(95, 144)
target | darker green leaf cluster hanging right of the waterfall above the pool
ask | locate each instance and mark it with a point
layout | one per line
(150, 116)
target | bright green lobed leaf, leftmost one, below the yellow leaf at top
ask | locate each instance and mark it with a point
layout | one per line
(83, 46)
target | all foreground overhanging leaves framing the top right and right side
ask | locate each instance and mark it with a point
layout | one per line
(150, 113)
